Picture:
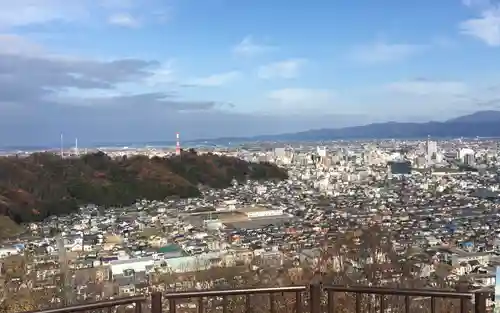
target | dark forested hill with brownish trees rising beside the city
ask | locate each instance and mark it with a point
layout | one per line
(43, 184)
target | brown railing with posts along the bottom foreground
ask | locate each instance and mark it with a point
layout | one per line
(314, 298)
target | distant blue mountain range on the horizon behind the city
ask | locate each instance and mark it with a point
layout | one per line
(479, 124)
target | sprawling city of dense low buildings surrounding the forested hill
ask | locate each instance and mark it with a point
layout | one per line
(414, 213)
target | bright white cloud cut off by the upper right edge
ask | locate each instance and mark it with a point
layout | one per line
(485, 27)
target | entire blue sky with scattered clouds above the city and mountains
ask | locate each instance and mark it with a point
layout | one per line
(142, 70)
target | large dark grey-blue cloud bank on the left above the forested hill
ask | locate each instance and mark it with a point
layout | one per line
(42, 86)
